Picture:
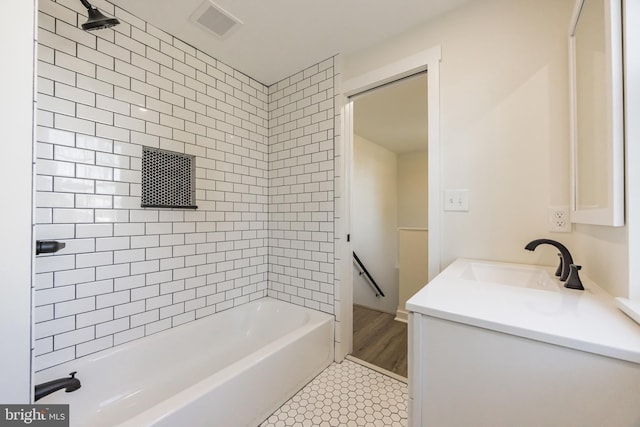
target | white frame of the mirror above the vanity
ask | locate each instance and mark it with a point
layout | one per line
(613, 213)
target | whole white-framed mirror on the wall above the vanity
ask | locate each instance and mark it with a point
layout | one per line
(597, 129)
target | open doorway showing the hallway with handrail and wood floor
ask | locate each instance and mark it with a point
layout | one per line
(389, 216)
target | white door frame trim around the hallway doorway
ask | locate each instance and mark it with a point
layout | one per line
(429, 61)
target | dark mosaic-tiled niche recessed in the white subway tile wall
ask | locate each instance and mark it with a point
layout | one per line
(168, 179)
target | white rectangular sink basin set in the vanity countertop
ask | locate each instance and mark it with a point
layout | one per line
(509, 274)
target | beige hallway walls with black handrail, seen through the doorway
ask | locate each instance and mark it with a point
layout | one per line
(389, 191)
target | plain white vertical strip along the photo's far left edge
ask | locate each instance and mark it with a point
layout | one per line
(17, 110)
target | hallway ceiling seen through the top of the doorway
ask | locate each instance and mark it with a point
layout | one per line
(394, 116)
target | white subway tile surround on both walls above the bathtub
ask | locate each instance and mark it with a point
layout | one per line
(127, 272)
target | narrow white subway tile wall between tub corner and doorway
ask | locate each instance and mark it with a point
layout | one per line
(301, 188)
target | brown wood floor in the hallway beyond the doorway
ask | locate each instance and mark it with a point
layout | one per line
(380, 340)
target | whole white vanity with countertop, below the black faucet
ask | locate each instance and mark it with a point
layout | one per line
(490, 354)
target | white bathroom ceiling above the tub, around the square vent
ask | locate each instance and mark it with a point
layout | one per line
(279, 38)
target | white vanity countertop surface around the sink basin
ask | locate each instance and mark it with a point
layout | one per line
(586, 320)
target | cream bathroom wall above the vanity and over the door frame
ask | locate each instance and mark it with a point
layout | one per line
(504, 131)
